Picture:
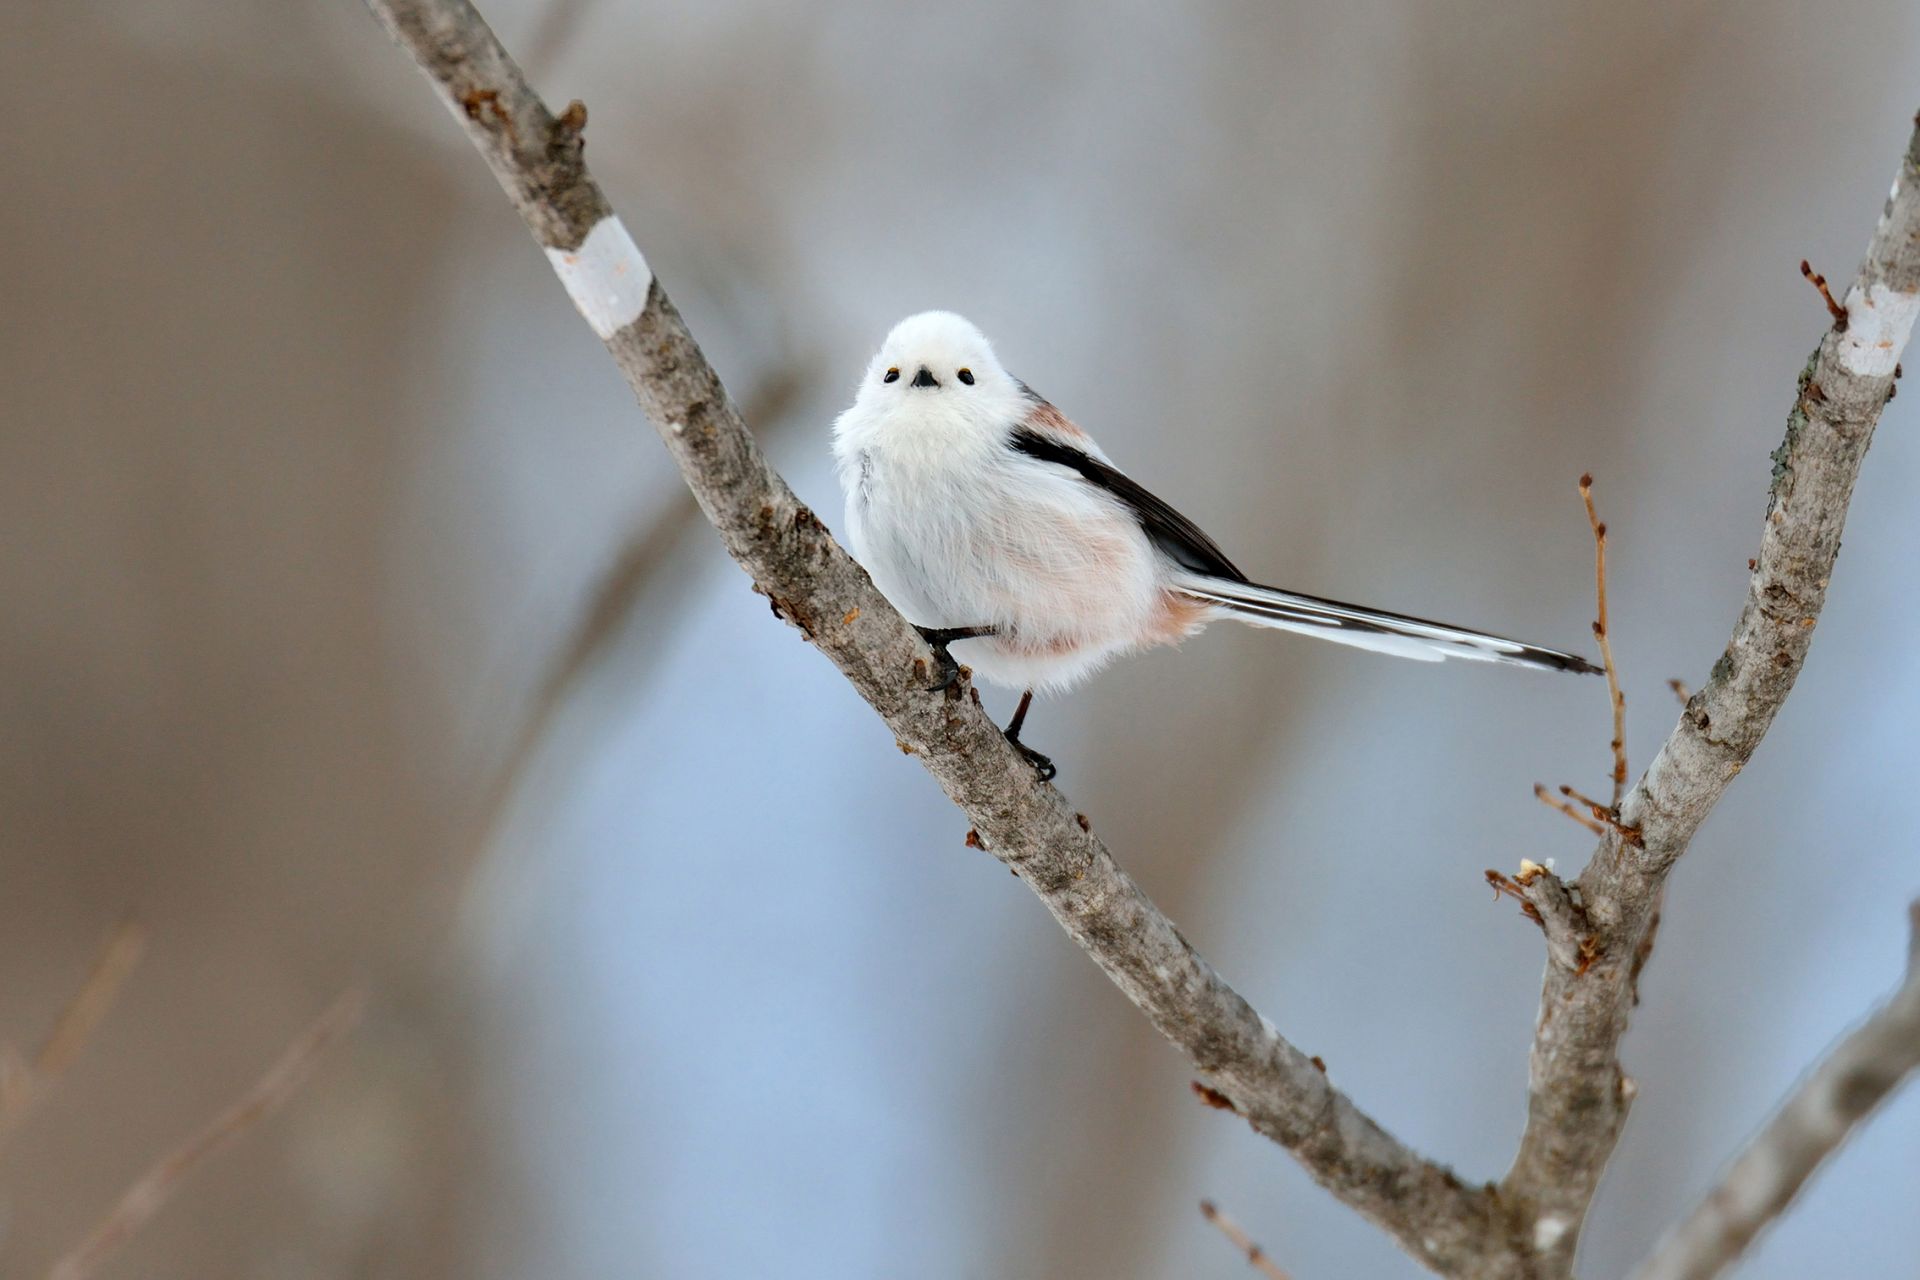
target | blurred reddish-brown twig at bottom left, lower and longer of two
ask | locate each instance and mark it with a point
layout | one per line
(147, 1197)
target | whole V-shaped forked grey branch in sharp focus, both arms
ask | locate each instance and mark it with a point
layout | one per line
(1529, 1225)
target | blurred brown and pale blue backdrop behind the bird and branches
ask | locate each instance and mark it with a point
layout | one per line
(356, 632)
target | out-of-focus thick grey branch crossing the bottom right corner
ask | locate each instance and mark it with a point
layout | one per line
(1856, 1078)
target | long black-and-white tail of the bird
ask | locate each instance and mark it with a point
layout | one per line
(1370, 628)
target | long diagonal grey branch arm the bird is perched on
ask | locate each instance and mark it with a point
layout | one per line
(819, 588)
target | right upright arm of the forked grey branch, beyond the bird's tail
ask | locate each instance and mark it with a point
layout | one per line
(1577, 1095)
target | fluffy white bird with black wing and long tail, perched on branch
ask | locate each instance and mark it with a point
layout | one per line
(1015, 544)
